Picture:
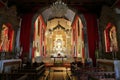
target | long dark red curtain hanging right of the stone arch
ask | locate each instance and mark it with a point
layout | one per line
(92, 31)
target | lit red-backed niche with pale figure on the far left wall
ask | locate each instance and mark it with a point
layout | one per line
(6, 38)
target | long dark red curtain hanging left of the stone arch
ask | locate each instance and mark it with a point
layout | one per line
(25, 33)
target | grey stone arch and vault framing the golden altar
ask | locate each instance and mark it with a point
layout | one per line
(62, 11)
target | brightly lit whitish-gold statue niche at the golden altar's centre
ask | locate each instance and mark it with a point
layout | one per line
(59, 48)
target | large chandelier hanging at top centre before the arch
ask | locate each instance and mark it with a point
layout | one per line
(59, 9)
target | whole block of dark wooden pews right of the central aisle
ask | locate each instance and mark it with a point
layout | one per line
(81, 72)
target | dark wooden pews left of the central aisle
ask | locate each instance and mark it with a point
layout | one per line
(33, 71)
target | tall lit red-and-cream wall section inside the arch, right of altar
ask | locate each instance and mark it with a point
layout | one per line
(78, 39)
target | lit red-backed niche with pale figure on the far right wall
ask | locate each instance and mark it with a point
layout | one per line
(111, 44)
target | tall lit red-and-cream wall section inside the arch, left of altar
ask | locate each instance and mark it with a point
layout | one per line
(38, 48)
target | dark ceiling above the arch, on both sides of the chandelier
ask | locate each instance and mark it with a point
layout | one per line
(93, 6)
